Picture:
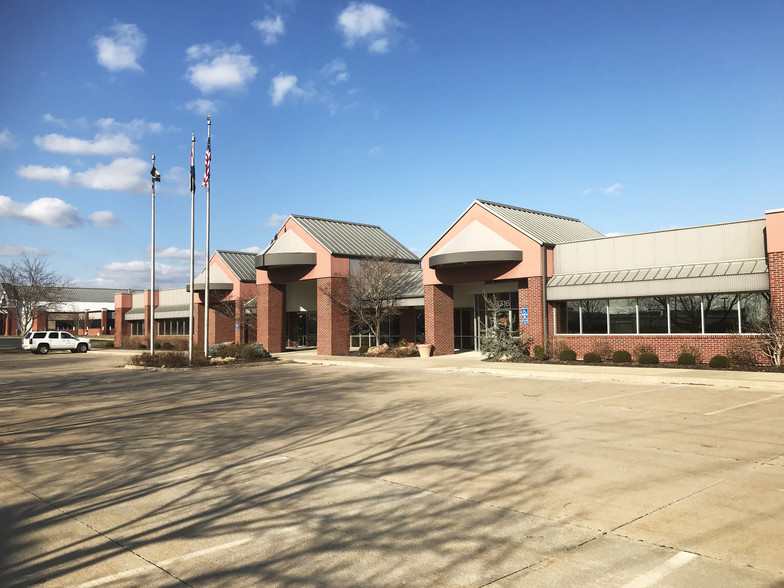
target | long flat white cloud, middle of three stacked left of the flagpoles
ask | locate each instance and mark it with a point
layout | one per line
(128, 174)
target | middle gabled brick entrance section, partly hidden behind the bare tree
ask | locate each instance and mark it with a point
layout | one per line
(302, 284)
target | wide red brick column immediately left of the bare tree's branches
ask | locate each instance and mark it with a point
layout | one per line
(333, 330)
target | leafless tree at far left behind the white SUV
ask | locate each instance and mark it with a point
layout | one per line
(31, 288)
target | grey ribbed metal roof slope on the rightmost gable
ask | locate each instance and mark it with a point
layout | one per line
(543, 227)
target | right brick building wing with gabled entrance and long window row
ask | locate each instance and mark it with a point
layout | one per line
(561, 280)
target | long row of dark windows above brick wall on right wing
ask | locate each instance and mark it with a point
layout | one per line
(706, 313)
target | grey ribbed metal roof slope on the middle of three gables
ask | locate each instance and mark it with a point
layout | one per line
(354, 239)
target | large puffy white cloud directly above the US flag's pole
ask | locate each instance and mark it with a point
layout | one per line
(219, 68)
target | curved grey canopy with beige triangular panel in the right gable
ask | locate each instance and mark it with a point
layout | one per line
(474, 245)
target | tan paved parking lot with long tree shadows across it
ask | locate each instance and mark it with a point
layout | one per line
(319, 475)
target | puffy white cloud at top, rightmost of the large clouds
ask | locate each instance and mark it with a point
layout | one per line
(368, 23)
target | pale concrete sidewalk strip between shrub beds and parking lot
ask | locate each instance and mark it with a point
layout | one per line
(472, 362)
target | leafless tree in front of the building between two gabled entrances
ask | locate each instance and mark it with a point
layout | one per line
(376, 286)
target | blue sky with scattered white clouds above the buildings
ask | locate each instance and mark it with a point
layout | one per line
(631, 116)
